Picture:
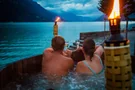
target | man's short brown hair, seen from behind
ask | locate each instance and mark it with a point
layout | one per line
(58, 43)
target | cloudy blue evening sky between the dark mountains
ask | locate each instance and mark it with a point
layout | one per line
(85, 8)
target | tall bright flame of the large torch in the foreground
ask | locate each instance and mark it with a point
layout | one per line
(116, 10)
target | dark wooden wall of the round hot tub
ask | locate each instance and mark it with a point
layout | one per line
(29, 66)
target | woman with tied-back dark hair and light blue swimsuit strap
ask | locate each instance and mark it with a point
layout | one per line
(92, 65)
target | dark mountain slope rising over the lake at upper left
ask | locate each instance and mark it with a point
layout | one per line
(24, 11)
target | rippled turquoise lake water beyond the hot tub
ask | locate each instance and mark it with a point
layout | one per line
(23, 40)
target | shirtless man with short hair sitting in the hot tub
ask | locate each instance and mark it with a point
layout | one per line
(55, 64)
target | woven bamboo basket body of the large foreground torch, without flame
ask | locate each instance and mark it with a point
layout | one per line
(118, 71)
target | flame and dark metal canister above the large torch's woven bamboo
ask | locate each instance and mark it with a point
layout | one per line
(114, 23)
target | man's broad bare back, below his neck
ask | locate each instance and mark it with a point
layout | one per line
(56, 65)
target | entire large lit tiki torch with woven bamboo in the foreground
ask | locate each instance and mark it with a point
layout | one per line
(117, 55)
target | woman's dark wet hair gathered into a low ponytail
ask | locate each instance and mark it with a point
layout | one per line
(89, 47)
